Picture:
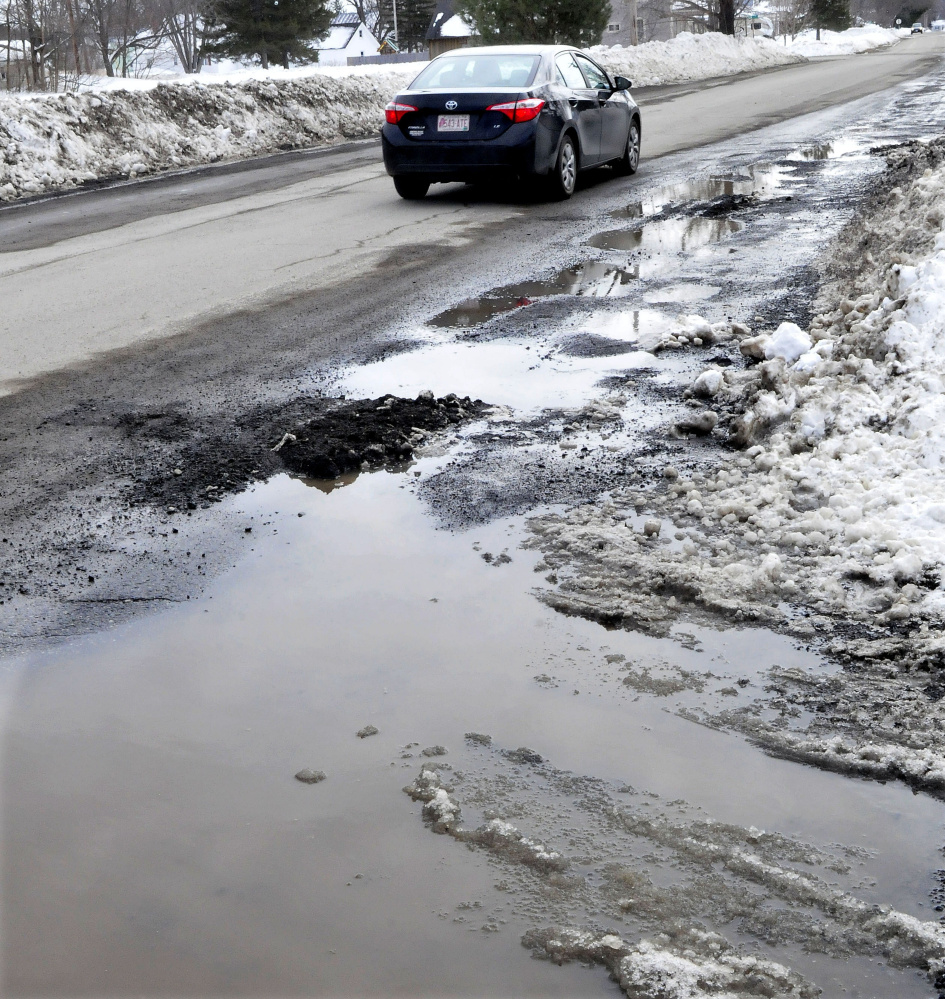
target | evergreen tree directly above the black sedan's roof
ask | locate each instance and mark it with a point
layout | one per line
(552, 22)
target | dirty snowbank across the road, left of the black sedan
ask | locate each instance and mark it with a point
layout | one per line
(61, 141)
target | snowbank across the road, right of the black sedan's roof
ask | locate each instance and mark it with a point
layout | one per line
(692, 57)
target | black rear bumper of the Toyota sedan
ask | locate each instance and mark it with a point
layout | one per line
(522, 149)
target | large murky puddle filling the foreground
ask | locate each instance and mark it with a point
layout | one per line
(153, 827)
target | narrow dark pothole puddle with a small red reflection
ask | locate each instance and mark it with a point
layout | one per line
(593, 279)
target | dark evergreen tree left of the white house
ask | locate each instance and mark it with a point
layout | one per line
(275, 30)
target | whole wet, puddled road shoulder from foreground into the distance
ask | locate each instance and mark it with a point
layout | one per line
(152, 824)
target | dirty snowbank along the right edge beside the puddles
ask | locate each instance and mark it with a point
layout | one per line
(831, 521)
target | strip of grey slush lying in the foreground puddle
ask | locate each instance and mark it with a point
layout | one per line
(648, 877)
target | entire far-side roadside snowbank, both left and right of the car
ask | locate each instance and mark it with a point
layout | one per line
(132, 127)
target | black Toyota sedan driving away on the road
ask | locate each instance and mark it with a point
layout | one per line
(540, 111)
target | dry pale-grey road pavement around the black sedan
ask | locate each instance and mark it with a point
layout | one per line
(90, 273)
